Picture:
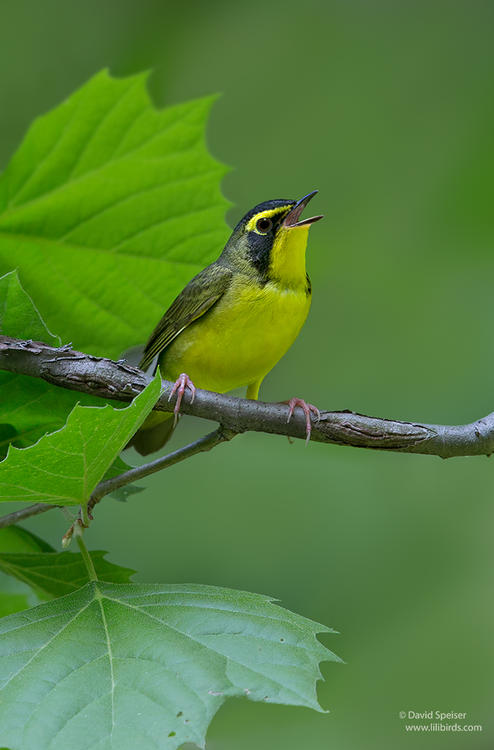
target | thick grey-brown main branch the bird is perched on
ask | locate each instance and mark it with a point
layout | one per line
(102, 377)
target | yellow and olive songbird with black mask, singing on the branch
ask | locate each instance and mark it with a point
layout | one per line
(236, 319)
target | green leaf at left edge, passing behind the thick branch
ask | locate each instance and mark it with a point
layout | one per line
(29, 407)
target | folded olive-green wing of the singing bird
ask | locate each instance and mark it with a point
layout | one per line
(194, 300)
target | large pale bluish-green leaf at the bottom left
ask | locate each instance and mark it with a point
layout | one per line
(147, 666)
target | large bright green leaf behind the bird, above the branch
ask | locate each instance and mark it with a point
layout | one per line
(108, 208)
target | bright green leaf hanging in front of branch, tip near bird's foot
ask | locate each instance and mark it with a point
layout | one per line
(64, 467)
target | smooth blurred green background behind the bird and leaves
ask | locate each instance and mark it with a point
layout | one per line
(388, 109)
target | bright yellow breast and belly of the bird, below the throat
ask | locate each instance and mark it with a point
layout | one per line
(240, 340)
